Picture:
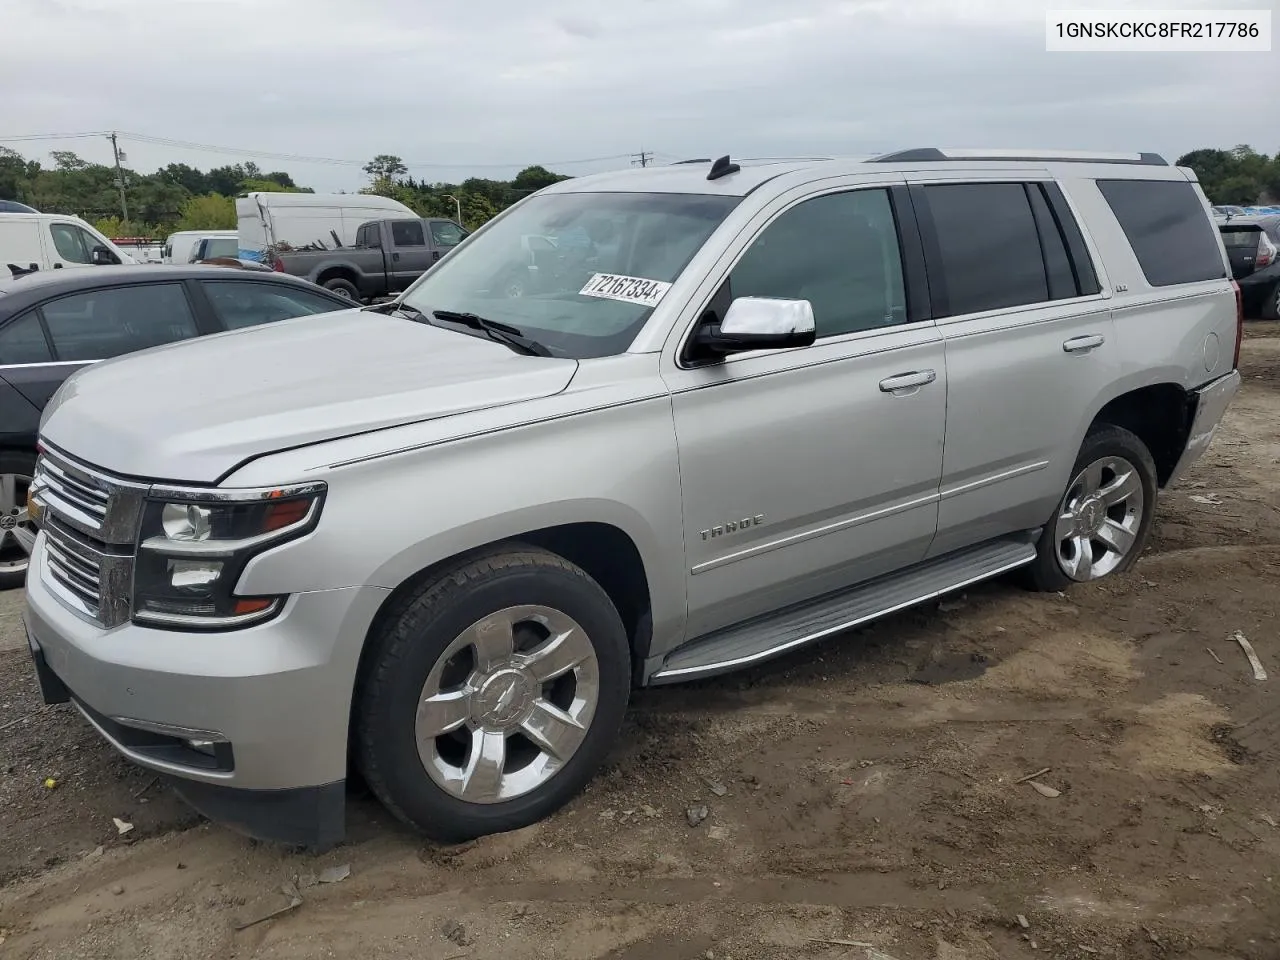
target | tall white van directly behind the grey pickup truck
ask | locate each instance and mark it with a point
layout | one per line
(308, 221)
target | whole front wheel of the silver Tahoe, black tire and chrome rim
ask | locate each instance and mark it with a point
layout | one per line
(417, 761)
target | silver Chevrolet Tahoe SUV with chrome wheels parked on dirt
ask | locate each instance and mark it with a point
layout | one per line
(737, 409)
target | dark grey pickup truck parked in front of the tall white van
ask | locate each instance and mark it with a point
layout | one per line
(387, 258)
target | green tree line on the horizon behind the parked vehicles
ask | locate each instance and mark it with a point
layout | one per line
(181, 198)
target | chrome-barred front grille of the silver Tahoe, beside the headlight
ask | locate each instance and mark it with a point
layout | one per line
(90, 522)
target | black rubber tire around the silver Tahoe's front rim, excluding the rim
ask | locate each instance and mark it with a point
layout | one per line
(391, 724)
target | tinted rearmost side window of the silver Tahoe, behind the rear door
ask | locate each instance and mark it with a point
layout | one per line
(1168, 228)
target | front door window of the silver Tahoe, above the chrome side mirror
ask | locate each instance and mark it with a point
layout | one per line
(840, 253)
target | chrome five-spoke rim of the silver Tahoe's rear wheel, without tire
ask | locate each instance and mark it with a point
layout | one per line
(1099, 522)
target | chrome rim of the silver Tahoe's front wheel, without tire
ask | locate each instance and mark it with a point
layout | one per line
(508, 705)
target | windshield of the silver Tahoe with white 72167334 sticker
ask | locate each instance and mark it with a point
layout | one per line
(578, 272)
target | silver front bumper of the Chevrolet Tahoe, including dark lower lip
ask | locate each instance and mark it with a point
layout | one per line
(269, 706)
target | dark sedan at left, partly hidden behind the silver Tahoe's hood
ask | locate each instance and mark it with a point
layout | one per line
(53, 323)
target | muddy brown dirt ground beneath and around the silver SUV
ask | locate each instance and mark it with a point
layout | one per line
(865, 792)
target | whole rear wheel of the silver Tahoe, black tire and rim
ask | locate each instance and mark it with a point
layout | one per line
(1091, 524)
